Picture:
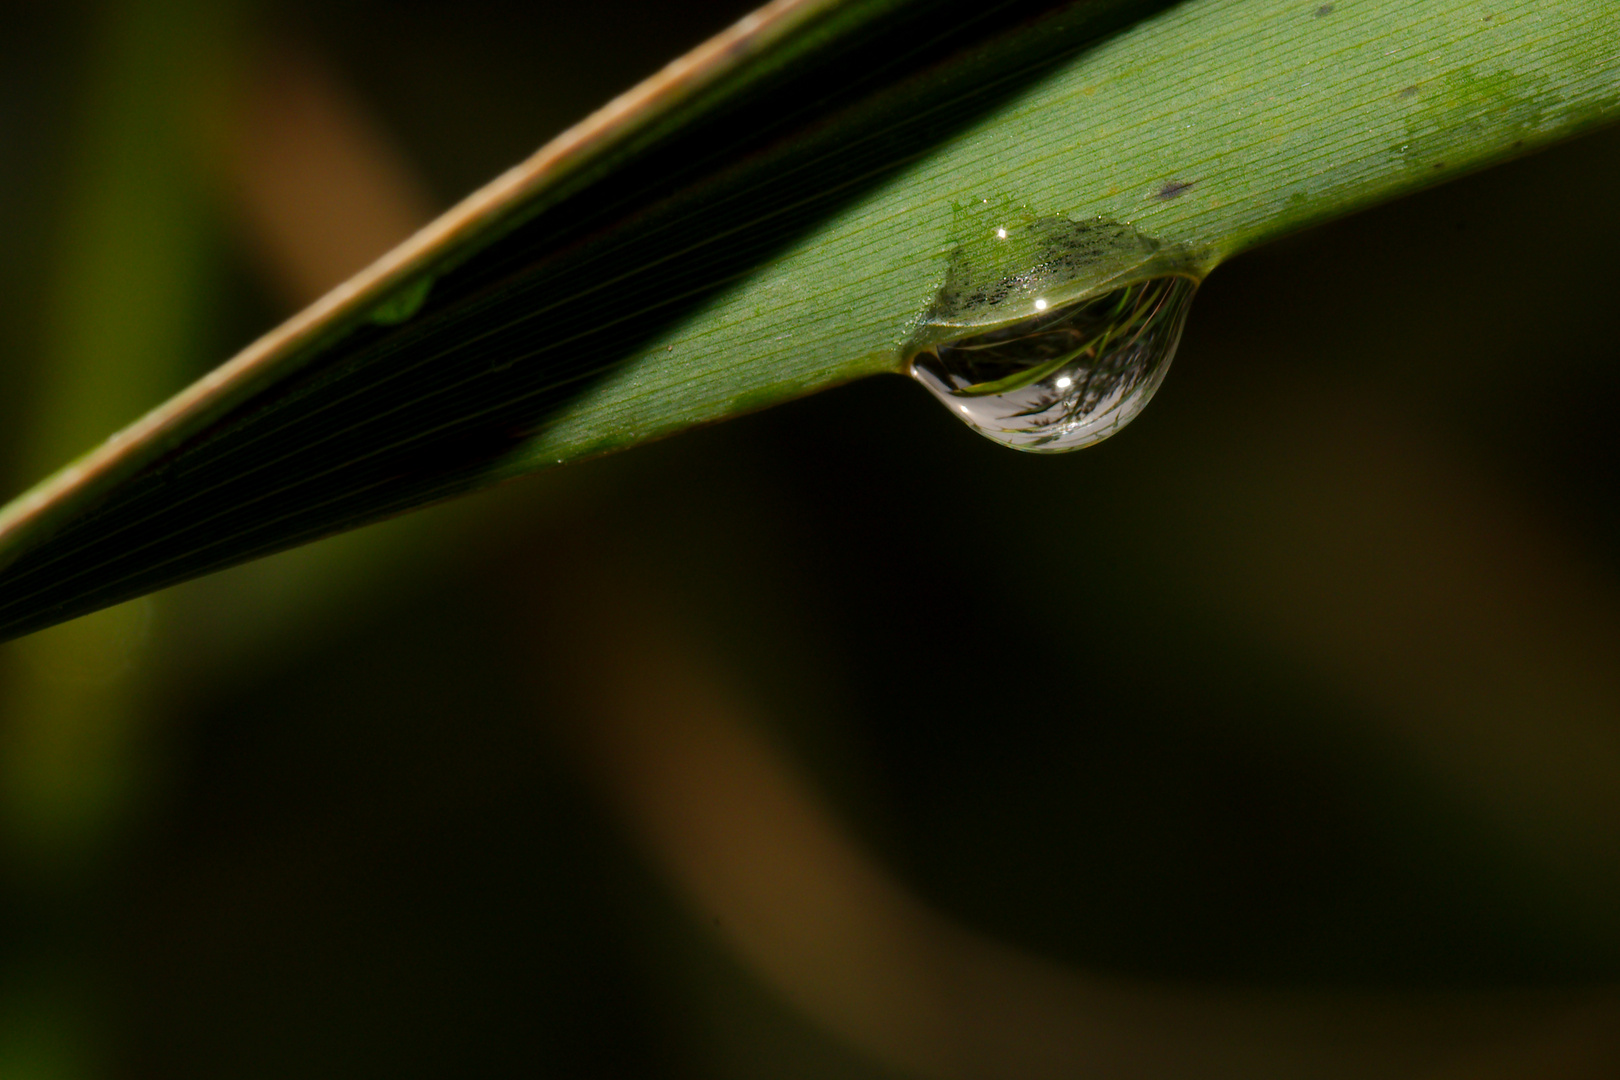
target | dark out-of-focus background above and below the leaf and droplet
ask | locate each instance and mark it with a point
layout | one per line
(833, 741)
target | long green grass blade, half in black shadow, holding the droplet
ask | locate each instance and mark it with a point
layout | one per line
(777, 227)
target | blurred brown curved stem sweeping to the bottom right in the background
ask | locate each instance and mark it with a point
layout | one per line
(799, 903)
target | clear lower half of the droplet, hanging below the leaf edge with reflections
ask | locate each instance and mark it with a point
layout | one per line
(1064, 378)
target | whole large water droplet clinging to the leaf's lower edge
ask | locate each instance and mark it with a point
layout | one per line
(1044, 355)
